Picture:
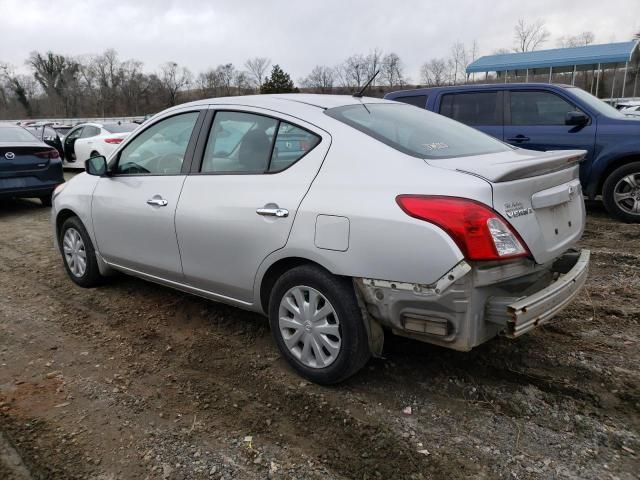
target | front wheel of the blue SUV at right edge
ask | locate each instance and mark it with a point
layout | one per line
(621, 193)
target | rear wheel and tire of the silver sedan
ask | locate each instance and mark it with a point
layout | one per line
(341, 345)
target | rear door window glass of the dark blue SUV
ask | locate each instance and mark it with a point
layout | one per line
(477, 108)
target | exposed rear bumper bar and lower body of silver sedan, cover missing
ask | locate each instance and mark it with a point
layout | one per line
(471, 304)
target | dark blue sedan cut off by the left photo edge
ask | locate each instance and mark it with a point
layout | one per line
(29, 168)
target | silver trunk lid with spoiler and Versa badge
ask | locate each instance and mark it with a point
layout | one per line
(538, 193)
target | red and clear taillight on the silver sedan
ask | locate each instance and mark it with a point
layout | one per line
(479, 231)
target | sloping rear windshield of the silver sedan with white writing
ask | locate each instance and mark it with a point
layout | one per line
(416, 132)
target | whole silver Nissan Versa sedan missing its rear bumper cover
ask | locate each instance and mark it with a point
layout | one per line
(342, 219)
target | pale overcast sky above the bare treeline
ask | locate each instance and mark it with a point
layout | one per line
(296, 34)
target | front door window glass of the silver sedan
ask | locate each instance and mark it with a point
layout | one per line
(159, 149)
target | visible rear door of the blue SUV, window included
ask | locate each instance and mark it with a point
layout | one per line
(482, 109)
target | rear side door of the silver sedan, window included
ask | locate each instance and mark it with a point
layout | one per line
(239, 204)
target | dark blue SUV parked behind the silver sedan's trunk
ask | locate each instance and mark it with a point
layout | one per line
(551, 117)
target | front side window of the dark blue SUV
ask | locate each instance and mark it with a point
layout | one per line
(538, 108)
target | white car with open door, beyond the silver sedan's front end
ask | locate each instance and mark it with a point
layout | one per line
(92, 139)
